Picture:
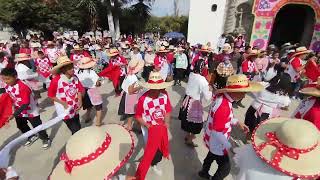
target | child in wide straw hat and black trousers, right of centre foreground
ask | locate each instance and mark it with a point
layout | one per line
(220, 120)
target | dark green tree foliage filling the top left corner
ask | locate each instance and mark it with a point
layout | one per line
(22, 15)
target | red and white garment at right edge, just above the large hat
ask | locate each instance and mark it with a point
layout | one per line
(309, 109)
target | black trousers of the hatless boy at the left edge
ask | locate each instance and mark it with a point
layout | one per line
(22, 124)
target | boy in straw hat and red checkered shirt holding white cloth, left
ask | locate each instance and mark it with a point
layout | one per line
(66, 92)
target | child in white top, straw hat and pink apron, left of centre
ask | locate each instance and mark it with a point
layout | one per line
(90, 81)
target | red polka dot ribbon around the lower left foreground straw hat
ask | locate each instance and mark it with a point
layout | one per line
(70, 164)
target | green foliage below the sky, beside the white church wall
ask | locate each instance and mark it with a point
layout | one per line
(167, 24)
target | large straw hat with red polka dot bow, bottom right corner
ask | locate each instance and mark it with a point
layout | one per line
(291, 146)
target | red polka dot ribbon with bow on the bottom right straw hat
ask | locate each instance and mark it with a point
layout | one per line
(282, 150)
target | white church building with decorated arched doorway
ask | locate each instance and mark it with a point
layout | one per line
(263, 22)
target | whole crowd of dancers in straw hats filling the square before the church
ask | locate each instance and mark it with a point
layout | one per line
(73, 72)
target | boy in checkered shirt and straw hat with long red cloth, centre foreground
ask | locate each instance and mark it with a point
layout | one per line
(153, 112)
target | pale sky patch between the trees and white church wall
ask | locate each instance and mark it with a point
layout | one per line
(165, 7)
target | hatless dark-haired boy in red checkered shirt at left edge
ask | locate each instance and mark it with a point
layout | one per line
(25, 106)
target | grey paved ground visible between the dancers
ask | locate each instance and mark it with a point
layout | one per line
(33, 163)
